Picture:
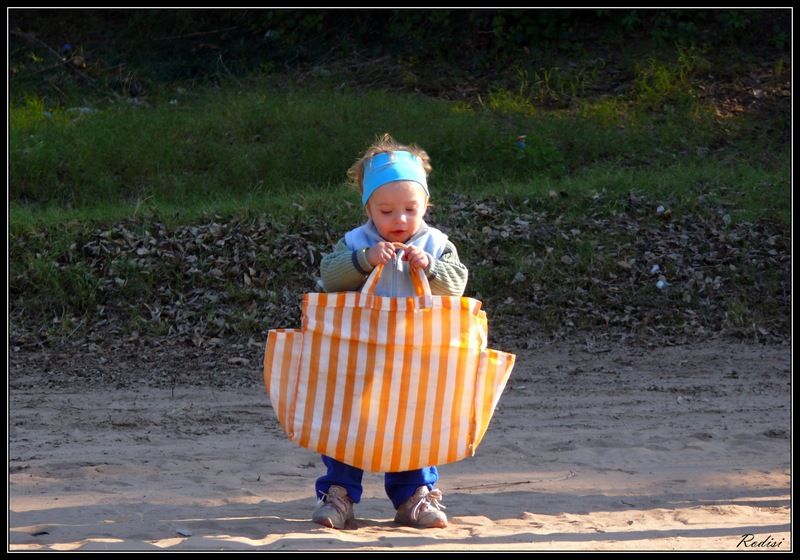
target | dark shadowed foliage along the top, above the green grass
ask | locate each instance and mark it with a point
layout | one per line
(169, 44)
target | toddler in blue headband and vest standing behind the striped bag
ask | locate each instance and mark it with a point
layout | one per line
(392, 179)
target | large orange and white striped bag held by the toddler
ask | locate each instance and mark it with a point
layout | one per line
(386, 383)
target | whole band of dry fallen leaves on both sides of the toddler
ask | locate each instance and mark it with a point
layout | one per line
(539, 273)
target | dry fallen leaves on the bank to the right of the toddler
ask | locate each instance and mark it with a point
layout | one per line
(635, 274)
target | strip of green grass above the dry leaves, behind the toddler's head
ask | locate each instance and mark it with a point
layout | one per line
(229, 149)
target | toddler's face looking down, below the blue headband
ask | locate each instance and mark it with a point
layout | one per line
(397, 209)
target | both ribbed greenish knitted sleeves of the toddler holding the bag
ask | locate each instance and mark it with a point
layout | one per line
(346, 270)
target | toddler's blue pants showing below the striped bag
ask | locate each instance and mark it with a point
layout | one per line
(400, 486)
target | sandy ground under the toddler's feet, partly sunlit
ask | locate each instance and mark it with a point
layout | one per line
(591, 448)
